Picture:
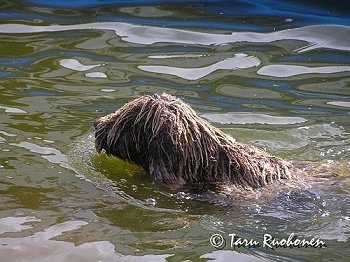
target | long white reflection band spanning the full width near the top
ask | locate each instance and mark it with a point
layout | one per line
(318, 36)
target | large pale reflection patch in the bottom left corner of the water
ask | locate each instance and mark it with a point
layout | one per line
(40, 246)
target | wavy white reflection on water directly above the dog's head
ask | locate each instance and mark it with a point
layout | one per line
(239, 61)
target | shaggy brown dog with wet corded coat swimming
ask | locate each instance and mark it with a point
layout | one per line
(175, 146)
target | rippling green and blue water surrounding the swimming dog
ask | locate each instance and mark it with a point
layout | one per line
(275, 76)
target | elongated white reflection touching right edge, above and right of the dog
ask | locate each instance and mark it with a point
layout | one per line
(293, 70)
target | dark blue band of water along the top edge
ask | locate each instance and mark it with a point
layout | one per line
(258, 16)
